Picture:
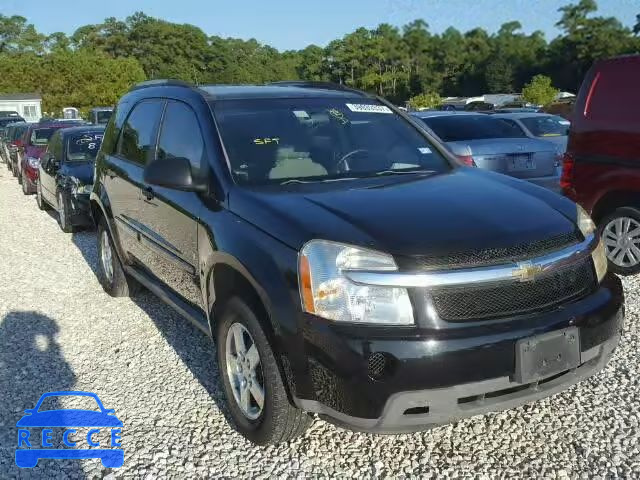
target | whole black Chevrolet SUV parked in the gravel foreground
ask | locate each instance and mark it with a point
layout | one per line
(343, 260)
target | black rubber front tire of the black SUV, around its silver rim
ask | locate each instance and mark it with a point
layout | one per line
(279, 421)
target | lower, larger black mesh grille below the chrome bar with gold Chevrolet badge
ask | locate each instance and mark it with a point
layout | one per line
(501, 300)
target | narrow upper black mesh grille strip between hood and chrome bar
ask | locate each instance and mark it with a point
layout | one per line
(494, 256)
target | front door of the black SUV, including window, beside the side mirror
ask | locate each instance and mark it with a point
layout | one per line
(170, 216)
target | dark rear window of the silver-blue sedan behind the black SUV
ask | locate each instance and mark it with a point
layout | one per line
(456, 128)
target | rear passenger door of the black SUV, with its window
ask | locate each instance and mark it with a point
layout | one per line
(123, 176)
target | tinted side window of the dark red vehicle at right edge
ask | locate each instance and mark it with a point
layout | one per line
(615, 95)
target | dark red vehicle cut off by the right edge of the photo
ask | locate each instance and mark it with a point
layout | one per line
(602, 164)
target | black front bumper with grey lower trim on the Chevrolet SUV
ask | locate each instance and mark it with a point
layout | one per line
(443, 376)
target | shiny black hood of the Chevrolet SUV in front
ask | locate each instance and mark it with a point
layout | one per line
(466, 208)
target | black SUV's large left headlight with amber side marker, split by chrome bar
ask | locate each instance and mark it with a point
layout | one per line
(326, 292)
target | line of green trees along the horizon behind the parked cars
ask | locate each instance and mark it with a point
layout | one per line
(98, 62)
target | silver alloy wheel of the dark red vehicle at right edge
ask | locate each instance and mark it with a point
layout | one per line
(621, 238)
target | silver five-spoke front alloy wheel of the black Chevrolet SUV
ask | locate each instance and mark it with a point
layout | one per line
(244, 370)
